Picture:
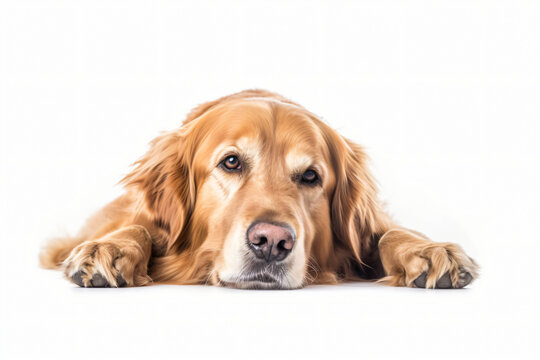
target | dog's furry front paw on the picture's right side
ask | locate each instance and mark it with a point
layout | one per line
(410, 259)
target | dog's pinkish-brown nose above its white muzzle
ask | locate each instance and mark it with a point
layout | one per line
(270, 242)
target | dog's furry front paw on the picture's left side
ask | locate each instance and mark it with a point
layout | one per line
(117, 259)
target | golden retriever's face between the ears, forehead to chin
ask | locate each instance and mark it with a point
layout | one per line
(267, 177)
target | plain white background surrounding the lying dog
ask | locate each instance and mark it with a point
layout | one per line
(444, 95)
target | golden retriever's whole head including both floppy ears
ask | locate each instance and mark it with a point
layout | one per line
(254, 191)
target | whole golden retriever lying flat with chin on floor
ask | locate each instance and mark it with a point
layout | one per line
(253, 191)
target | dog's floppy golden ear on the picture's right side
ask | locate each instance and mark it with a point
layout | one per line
(357, 216)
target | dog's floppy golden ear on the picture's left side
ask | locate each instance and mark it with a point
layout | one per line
(164, 179)
